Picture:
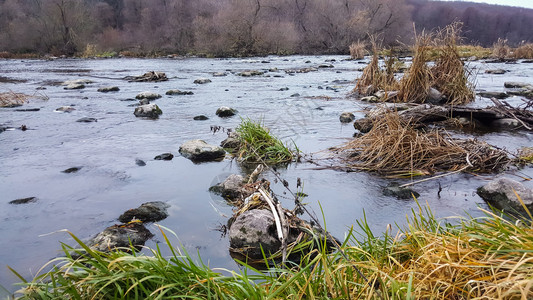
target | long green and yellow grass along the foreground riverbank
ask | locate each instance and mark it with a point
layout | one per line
(489, 257)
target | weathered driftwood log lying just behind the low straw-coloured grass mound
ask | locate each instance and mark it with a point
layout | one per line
(426, 114)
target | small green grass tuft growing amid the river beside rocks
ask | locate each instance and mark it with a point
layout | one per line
(257, 144)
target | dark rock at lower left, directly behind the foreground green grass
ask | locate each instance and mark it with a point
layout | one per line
(120, 236)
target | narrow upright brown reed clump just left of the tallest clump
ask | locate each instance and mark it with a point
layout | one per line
(415, 84)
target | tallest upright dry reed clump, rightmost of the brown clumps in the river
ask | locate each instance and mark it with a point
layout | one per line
(449, 74)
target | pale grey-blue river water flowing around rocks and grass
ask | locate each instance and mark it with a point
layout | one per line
(302, 107)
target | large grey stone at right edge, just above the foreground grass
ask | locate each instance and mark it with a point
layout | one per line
(500, 194)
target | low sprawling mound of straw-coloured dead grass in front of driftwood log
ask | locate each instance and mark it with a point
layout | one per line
(394, 147)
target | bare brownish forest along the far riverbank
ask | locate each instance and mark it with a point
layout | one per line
(243, 27)
